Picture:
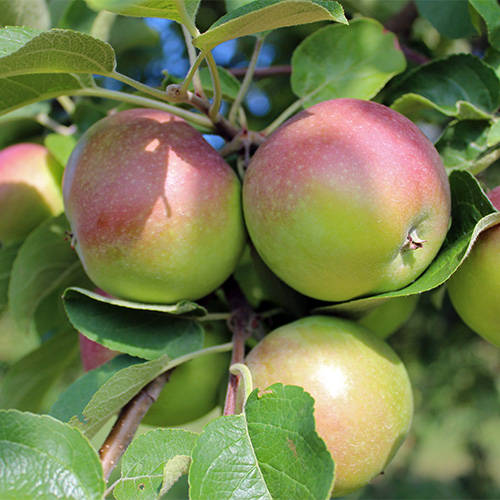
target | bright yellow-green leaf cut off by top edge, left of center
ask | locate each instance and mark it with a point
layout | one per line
(167, 9)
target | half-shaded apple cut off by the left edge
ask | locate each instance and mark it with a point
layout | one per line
(29, 189)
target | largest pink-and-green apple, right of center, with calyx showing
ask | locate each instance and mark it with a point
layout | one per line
(332, 196)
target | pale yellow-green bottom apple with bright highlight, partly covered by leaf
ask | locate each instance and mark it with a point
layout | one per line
(363, 396)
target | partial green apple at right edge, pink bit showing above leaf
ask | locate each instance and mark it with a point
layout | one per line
(474, 288)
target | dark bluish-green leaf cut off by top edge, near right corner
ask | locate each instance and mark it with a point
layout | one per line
(451, 18)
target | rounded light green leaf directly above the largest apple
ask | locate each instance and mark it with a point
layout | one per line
(370, 58)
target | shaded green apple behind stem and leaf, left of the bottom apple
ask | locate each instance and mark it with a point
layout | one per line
(193, 388)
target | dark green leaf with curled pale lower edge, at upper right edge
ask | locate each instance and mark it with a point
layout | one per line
(460, 85)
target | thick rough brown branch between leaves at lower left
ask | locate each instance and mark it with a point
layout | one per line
(128, 421)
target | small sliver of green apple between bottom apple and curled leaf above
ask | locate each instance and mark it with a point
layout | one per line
(390, 316)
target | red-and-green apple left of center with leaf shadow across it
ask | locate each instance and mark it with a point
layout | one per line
(155, 211)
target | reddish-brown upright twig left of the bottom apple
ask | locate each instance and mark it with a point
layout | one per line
(243, 322)
